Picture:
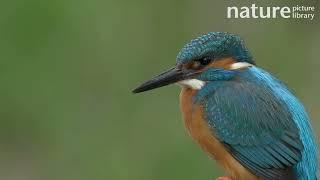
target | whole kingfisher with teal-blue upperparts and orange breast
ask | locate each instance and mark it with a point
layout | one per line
(242, 116)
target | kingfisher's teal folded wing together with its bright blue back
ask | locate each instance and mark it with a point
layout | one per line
(261, 123)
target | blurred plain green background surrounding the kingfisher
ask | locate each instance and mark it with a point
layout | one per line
(67, 68)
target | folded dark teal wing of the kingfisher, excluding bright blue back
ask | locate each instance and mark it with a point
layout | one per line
(255, 126)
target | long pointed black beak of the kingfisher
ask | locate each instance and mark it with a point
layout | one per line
(168, 77)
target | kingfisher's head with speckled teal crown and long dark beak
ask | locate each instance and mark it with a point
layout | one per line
(209, 52)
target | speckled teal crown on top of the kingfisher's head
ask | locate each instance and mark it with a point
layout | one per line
(215, 45)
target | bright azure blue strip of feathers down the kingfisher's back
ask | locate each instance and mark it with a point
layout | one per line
(307, 168)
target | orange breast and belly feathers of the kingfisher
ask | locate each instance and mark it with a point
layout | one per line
(201, 133)
